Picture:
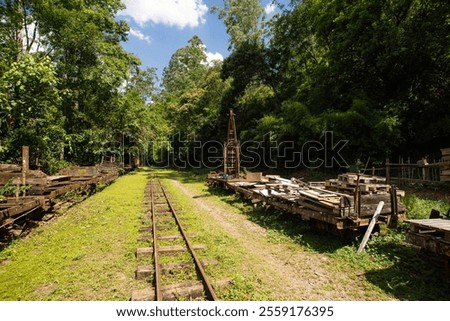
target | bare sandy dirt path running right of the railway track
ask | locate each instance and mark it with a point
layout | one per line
(286, 274)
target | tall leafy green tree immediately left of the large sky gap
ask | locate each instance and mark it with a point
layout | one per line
(92, 66)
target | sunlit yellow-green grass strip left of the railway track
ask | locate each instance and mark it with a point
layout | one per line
(85, 254)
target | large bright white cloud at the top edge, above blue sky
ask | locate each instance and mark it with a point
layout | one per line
(179, 13)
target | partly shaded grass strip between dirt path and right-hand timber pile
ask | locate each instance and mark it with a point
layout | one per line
(410, 275)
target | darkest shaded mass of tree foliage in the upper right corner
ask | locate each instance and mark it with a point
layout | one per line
(365, 68)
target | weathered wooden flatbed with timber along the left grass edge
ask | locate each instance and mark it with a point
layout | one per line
(45, 190)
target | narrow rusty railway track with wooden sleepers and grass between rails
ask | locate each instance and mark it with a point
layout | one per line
(176, 271)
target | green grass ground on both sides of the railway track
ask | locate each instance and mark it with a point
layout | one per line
(76, 256)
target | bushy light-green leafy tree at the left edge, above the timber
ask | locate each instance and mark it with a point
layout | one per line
(30, 111)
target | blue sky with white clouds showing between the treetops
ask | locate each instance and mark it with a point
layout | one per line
(160, 27)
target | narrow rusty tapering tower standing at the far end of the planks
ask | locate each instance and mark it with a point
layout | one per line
(232, 149)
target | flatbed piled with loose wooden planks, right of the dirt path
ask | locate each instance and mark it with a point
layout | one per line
(347, 203)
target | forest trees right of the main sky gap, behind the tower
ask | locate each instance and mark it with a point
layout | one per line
(362, 70)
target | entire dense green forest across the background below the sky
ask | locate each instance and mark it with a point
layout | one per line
(373, 73)
